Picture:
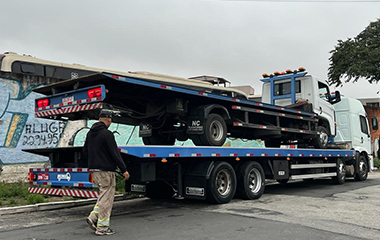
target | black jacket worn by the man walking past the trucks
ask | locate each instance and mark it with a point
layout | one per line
(101, 150)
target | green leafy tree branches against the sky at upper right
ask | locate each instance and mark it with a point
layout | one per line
(357, 58)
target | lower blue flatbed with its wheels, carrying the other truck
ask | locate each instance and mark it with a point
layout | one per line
(204, 173)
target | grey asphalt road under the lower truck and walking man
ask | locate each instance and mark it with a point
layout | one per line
(299, 210)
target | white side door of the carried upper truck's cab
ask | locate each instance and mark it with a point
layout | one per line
(323, 107)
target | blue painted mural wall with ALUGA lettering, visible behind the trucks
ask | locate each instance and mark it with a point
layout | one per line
(19, 129)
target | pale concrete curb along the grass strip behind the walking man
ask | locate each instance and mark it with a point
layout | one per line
(55, 205)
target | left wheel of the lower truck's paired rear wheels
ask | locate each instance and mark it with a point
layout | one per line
(221, 186)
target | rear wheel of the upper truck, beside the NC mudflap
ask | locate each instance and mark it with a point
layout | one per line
(215, 131)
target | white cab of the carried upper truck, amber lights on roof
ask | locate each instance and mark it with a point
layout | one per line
(291, 89)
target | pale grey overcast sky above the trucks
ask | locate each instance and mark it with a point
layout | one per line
(237, 40)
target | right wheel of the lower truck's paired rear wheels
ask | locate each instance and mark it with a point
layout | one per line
(251, 181)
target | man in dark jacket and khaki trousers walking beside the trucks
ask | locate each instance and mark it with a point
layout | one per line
(103, 158)
